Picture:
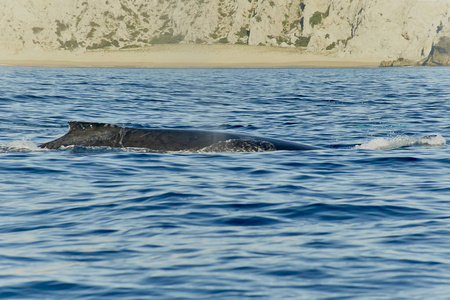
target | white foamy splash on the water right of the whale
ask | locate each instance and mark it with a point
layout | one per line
(403, 141)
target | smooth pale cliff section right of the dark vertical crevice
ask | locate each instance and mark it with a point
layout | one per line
(405, 29)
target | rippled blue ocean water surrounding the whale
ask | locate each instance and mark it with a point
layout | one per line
(368, 217)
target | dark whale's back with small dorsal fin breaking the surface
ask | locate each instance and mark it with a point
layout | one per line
(162, 140)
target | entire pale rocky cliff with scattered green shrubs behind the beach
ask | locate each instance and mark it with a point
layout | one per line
(410, 30)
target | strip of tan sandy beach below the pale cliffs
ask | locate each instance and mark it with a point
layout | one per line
(186, 56)
